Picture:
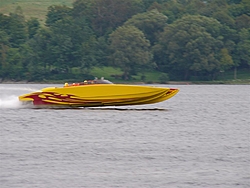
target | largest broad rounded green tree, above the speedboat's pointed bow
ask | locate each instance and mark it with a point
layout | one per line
(190, 45)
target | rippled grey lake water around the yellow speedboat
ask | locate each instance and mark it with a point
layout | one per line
(198, 138)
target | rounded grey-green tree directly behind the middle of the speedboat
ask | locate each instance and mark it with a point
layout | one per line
(130, 50)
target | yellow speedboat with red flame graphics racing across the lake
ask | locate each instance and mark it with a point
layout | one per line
(96, 93)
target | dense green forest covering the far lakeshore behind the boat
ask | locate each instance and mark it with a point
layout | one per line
(181, 39)
